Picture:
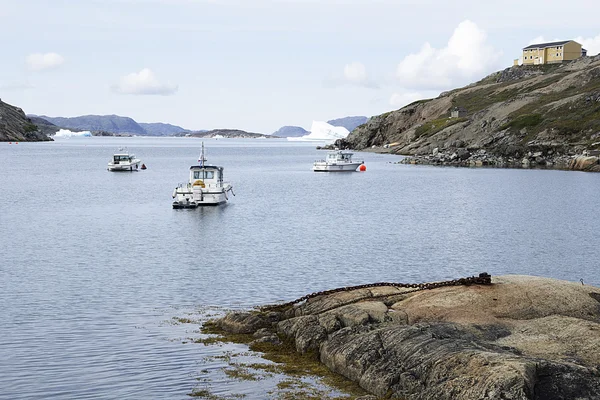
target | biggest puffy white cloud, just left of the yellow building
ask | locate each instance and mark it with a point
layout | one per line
(466, 57)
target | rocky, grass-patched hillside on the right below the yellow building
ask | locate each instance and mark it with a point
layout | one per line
(549, 109)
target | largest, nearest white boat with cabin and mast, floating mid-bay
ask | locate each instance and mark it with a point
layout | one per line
(205, 187)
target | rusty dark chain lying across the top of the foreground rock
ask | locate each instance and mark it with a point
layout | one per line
(483, 279)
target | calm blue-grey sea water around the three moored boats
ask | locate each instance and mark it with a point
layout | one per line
(95, 265)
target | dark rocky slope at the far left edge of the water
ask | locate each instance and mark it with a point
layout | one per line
(16, 126)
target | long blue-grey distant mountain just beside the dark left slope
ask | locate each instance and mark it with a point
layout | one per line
(106, 123)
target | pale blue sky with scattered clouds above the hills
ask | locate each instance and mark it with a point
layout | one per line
(258, 65)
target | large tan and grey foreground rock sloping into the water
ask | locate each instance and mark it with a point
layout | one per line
(520, 338)
